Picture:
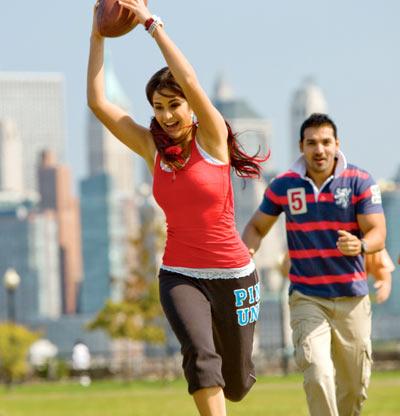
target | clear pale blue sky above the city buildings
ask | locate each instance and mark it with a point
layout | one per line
(265, 49)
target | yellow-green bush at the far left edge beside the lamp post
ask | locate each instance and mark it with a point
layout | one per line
(15, 341)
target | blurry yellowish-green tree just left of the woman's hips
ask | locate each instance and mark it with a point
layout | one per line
(135, 317)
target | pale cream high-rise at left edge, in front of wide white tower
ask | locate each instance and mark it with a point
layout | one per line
(11, 178)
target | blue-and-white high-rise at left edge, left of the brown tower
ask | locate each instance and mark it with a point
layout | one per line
(29, 244)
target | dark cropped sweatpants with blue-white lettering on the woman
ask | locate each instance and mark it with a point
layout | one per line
(214, 322)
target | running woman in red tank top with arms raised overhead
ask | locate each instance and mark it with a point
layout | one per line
(208, 286)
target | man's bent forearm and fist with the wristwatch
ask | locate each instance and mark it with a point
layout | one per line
(373, 228)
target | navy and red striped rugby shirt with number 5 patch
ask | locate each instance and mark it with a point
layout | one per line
(313, 217)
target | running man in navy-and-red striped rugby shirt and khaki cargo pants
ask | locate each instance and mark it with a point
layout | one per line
(333, 216)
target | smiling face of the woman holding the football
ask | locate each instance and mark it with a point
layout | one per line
(172, 113)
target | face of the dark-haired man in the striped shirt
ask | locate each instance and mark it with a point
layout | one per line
(319, 147)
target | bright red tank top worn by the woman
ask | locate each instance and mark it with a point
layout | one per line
(198, 204)
